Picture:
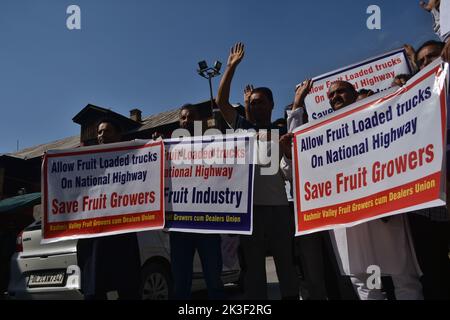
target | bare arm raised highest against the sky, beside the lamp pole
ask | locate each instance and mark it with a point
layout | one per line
(223, 94)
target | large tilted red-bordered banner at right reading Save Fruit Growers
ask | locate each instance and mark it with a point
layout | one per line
(379, 157)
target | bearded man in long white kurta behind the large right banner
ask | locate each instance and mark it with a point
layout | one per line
(384, 243)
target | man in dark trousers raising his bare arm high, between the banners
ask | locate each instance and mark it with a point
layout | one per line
(273, 222)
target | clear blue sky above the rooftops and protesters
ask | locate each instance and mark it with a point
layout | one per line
(144, 53)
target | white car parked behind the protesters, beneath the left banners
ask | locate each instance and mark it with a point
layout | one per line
(50, 271)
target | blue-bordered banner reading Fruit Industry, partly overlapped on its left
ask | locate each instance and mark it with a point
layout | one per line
(209, 184)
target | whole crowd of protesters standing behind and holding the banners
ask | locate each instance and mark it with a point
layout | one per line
(412, 249)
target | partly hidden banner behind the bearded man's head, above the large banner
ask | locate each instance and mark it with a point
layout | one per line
(375, 74)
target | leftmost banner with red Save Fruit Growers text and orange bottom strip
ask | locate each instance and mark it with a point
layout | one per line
(103, 190)
